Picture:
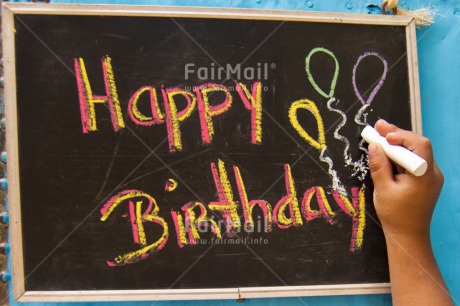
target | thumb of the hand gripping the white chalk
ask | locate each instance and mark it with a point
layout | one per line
(380, 165)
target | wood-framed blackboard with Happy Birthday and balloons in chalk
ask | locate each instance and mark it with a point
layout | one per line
(166, 153)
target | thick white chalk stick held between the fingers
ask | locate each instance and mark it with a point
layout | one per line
(400, 155)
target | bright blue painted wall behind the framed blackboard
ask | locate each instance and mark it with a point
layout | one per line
(439, 59)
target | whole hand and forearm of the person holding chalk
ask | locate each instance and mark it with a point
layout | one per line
(405, 204)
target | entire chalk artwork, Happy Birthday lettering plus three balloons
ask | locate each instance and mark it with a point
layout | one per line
(234, 208)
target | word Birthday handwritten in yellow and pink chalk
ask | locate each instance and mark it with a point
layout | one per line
(291, 210)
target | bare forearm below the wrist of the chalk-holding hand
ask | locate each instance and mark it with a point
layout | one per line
(414, 274)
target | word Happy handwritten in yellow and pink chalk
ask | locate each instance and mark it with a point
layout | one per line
(172, 117)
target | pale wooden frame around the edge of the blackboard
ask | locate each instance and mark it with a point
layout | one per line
(11, 9)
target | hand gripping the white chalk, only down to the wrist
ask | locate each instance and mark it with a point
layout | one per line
(404, 203)
